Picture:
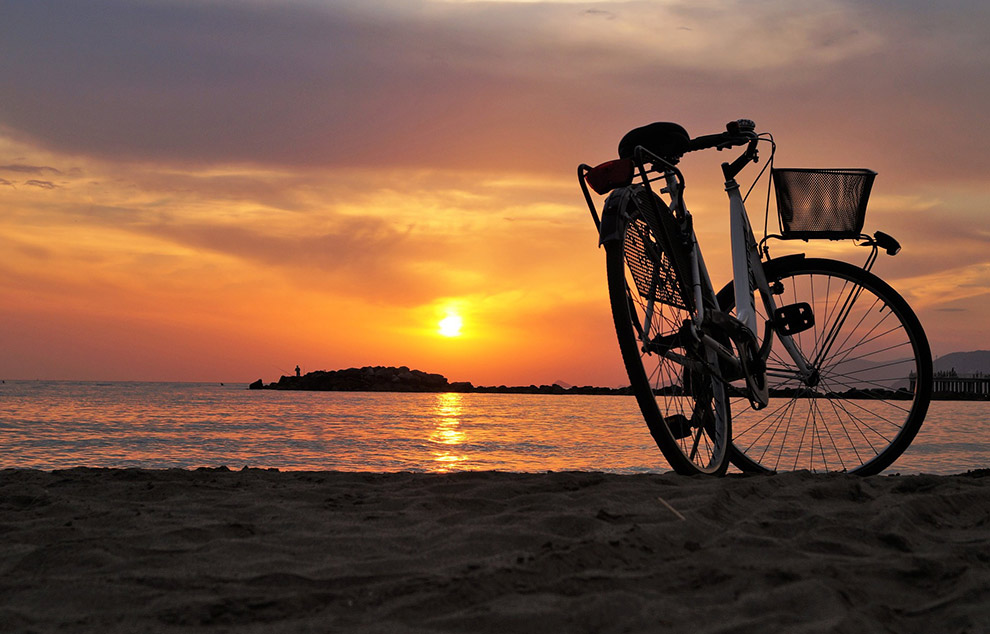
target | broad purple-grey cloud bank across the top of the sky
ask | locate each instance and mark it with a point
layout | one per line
(478, 85)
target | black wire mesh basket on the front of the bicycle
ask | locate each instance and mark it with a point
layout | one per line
(822, 203)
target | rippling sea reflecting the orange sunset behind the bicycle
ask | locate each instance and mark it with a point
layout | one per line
(63, 424)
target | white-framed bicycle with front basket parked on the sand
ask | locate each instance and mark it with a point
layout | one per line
(798, 362)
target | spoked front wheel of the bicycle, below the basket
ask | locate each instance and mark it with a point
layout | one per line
(874, 368)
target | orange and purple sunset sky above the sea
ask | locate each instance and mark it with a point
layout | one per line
(221, 190)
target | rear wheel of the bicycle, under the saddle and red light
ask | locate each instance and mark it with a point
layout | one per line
(685, 408)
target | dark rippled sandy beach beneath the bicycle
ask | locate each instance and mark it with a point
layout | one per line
(212, 550)
